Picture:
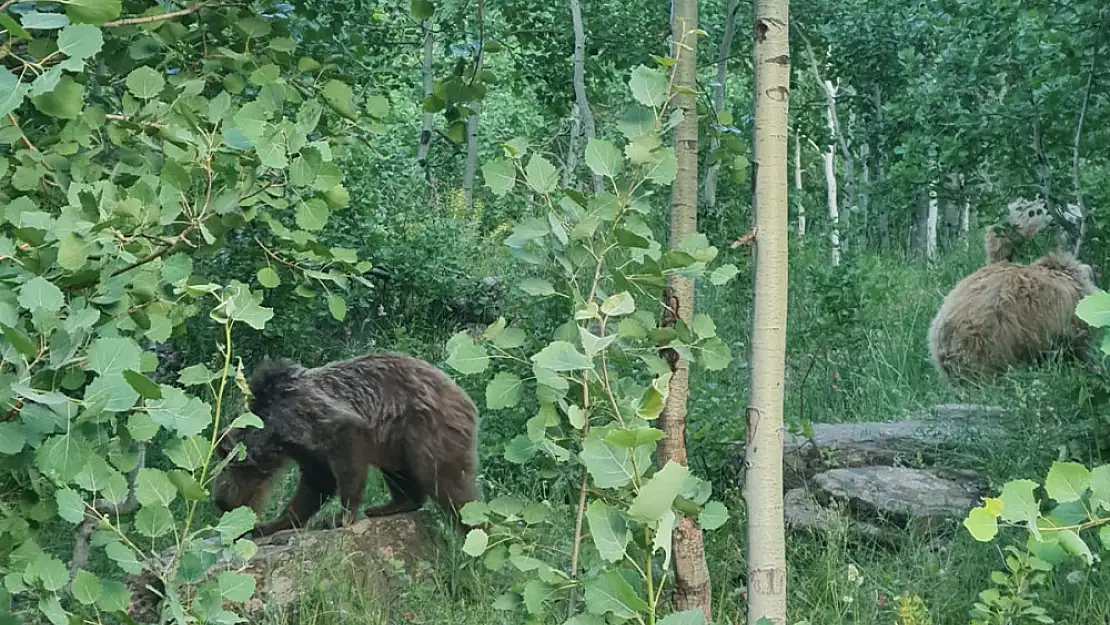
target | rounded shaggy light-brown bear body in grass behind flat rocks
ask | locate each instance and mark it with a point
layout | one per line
(1006, 315)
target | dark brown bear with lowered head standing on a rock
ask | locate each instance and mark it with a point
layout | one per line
(395, 412)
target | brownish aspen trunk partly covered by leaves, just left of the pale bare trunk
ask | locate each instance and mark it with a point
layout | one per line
(693, 590)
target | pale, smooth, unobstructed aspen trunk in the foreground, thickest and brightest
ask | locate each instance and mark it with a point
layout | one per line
(763, 487)
